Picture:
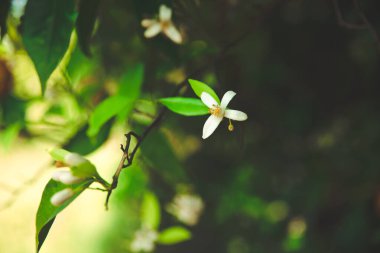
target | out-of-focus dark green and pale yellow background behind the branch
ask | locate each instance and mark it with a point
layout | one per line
(302, 174)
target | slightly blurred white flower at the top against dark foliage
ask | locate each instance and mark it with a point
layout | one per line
(162, 24)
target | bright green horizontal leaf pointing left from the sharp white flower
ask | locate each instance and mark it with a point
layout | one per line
(185, 106)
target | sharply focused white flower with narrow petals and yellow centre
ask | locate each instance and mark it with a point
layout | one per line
(218, 111)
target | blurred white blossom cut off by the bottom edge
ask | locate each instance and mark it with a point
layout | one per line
(144, 240)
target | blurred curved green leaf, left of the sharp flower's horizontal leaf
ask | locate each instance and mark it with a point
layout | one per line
(107, 109)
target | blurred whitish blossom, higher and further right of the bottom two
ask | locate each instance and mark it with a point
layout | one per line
(187, 208)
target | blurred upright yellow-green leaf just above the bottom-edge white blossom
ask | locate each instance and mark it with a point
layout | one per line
(151, 214)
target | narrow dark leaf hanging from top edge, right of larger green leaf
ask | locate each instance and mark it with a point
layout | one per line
(88, 11)
